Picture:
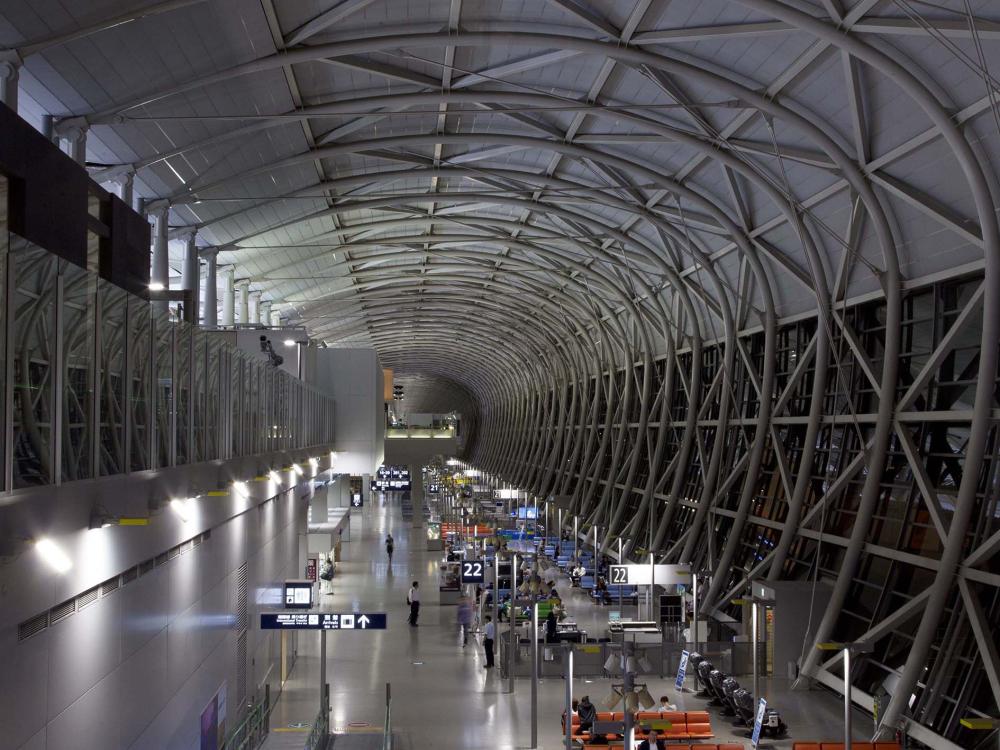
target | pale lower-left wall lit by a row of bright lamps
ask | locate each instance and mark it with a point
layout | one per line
(135, 668)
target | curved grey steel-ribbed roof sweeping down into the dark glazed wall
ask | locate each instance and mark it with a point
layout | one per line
(726, 273)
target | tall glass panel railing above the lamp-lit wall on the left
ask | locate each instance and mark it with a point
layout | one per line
(99, 382)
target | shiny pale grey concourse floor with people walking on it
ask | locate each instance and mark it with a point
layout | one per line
(442, 697)
